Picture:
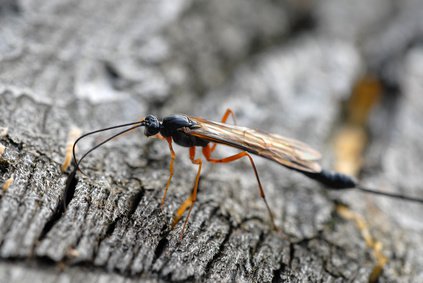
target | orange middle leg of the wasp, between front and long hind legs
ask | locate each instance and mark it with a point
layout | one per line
(189, 202)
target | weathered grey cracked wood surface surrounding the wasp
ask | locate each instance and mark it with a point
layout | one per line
(283, 67)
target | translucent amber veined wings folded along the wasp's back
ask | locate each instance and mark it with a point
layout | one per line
(287, 152)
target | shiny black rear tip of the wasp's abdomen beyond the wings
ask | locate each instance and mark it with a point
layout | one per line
(333, 180)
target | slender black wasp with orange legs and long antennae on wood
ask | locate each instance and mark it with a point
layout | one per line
(192, 132)
